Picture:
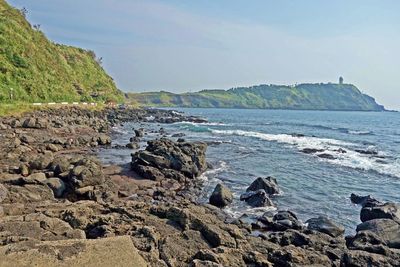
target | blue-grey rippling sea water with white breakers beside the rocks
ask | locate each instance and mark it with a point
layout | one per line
(246, 144)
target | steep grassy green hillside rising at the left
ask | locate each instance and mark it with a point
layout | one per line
(32, 68)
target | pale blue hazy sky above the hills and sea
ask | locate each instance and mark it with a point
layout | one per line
(179, 46)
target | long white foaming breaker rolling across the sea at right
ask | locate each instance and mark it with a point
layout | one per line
(339, 152)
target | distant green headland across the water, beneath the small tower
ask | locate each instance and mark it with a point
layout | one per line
(304, 96)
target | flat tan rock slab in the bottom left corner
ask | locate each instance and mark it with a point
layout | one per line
(114, 251)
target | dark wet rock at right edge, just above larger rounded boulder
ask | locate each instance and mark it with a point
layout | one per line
(380, 211)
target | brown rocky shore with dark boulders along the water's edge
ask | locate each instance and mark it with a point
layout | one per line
(59, 206)
